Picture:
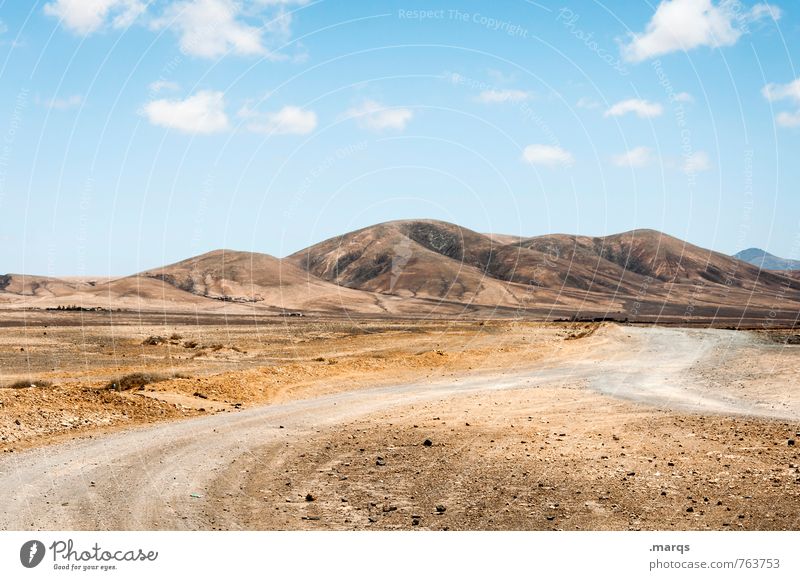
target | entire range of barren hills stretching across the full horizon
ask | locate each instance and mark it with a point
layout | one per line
(422, 268)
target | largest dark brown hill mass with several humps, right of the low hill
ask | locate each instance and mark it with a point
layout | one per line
(599, 274)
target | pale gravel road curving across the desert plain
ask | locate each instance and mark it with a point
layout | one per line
(185, 474)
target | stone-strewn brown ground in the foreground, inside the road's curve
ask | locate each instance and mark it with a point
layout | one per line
(544, 459)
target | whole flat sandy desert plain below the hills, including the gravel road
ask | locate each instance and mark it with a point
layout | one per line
(316, 423)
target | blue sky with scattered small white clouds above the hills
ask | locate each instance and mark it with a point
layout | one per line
(137, 133)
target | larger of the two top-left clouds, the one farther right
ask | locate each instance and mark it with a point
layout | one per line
(211, 29)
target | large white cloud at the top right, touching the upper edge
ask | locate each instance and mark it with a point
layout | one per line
(682, 25)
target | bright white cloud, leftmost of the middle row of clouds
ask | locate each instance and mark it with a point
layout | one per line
(203, 113)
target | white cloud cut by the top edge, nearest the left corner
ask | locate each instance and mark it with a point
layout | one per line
(87, 16)
